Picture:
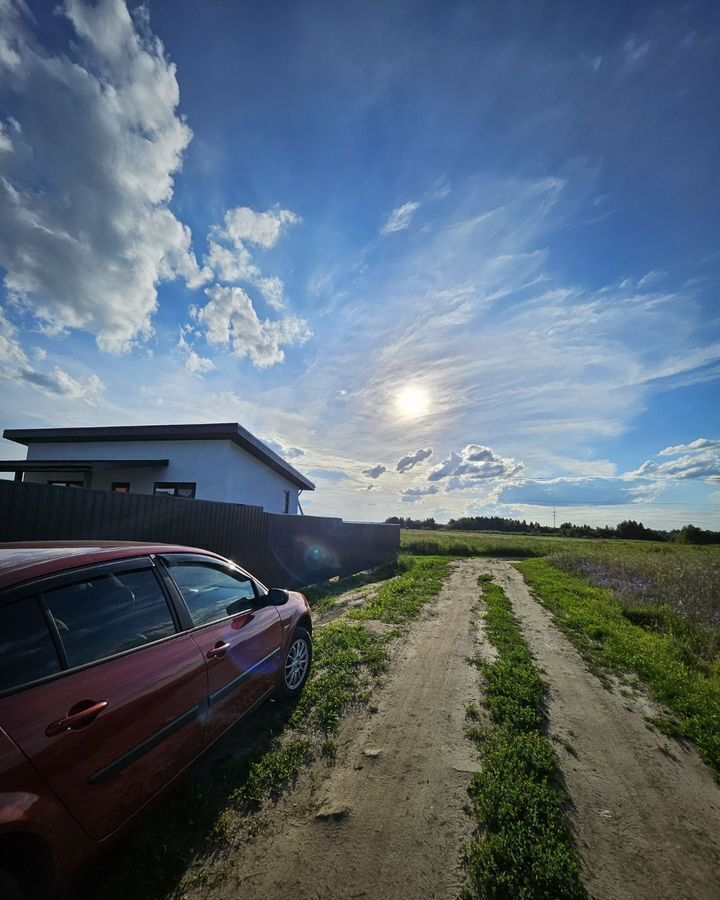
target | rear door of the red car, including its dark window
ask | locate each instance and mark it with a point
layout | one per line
(122, 704)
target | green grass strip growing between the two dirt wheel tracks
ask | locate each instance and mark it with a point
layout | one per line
(524, 849)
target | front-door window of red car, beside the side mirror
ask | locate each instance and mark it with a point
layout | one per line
(211, 592)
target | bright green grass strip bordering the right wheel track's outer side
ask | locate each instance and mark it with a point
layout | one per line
(610, 639)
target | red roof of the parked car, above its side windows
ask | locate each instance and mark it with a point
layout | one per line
(22, 561)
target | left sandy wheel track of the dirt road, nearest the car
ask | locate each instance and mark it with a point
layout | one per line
(387, 821)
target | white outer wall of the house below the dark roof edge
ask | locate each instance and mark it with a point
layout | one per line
(220, 469)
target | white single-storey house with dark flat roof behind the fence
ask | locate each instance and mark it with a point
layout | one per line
(207, 462)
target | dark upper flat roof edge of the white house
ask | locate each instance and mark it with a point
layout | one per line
(229, 431)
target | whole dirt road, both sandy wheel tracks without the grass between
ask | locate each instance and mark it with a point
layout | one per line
(387, 820)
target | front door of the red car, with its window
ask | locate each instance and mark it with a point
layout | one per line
(239, 635)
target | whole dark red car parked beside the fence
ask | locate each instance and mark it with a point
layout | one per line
(119, 665)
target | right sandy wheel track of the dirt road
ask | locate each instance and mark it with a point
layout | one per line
(647, 810)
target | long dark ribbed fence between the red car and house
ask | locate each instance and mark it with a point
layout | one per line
(281, 550)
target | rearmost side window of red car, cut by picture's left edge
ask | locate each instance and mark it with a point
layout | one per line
(27, 652)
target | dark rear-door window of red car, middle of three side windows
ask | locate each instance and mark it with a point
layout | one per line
(99, 617)
